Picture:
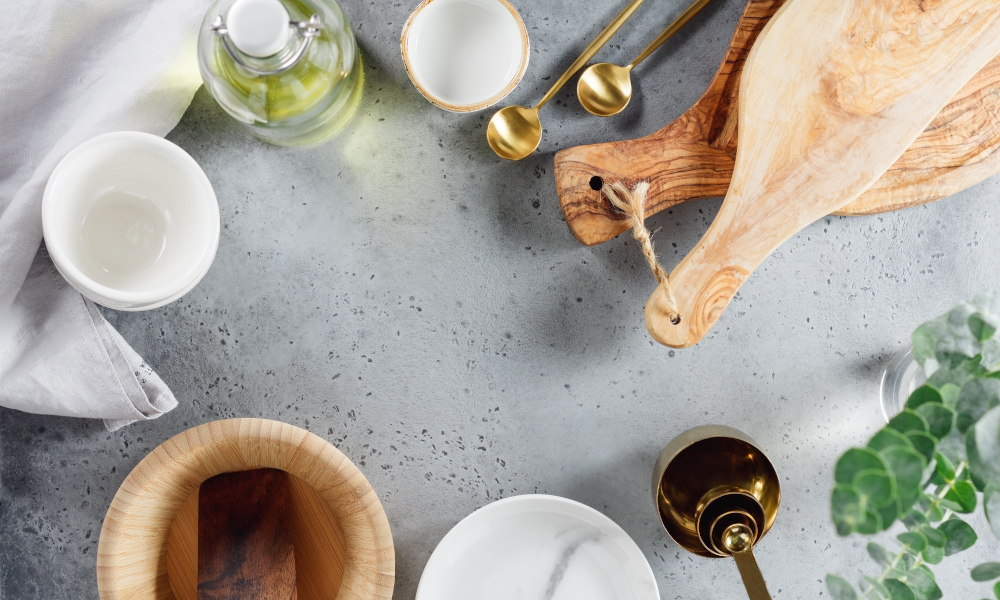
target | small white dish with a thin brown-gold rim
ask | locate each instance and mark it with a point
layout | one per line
(465, 55)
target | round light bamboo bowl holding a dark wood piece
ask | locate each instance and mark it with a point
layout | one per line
(148, 546)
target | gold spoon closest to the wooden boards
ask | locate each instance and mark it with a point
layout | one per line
(604, 89)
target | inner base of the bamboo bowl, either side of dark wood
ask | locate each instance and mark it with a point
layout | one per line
(320, 548)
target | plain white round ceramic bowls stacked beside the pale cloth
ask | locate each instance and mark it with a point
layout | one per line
(130, 220)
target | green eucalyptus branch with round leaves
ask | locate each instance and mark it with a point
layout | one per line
(954, 416)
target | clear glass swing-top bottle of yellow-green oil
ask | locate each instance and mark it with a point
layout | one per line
(289, 70)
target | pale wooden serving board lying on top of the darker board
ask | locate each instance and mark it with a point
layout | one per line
(831, 95)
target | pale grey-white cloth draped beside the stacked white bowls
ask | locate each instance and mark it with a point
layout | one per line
(71, 70)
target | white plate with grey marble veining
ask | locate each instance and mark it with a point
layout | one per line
(537, 546)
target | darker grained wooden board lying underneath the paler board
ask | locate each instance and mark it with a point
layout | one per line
(693, 157)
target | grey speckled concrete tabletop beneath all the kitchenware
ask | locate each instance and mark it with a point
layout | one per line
(418, 302)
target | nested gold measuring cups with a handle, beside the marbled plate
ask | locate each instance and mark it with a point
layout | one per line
(717, 495)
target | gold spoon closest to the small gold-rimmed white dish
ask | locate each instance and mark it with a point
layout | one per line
(514, 131)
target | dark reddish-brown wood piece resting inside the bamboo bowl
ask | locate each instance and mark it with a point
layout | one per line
(245, 549)
